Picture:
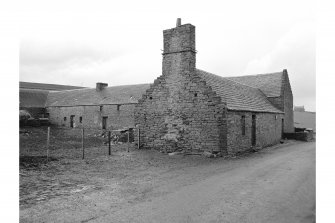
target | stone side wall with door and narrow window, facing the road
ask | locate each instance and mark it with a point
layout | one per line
(268, 130)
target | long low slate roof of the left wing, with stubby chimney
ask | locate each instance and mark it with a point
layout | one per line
(89, 96)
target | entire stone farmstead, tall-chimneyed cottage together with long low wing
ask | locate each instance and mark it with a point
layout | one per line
(185, 108)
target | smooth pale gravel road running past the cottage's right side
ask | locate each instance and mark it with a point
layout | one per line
(275, 186)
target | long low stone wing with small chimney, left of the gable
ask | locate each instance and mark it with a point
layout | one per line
(102, 107)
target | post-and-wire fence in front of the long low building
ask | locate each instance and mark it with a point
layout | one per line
(74, 143)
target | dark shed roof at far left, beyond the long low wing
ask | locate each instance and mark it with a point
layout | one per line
(33, 98)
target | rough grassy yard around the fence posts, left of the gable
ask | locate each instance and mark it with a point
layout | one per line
(67, 173)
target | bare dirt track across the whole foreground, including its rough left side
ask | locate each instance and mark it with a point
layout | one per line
(274, 185)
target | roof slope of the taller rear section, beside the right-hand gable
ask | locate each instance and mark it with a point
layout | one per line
(269, 83)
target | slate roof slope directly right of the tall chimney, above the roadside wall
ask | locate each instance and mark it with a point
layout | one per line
(238, 96)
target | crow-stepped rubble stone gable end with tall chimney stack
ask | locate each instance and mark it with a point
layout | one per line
(179, 111)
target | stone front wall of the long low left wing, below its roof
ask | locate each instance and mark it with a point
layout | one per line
(119, 116)
